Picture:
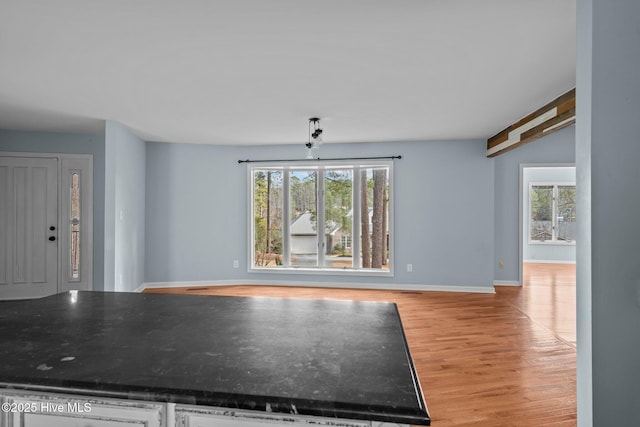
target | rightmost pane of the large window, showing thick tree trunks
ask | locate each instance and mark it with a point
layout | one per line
(374, 198)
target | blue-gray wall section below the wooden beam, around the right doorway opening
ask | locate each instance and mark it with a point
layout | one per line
(559, 147)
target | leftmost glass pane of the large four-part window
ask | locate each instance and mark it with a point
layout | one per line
(267, 203)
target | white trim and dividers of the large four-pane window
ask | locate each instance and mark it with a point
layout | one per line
(320, 165)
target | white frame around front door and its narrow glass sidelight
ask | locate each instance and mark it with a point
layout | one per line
(66, 164)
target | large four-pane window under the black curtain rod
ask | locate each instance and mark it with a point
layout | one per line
(321, 217)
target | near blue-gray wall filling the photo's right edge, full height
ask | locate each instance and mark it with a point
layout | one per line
(608, 152)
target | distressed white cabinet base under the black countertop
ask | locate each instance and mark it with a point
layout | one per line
(33, 409)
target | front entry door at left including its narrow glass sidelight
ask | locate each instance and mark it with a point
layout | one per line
(46, 222)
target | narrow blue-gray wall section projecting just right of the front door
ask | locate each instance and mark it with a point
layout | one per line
(125, 158)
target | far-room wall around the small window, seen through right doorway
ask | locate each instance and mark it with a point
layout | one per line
(560, 252)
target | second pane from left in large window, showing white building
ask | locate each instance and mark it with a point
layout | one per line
(303, 236)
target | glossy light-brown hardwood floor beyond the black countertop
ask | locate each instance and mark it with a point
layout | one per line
(504, 359)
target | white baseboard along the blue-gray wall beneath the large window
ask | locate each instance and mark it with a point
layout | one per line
(344, 285)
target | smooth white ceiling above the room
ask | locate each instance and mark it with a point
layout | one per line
(253, 71)
